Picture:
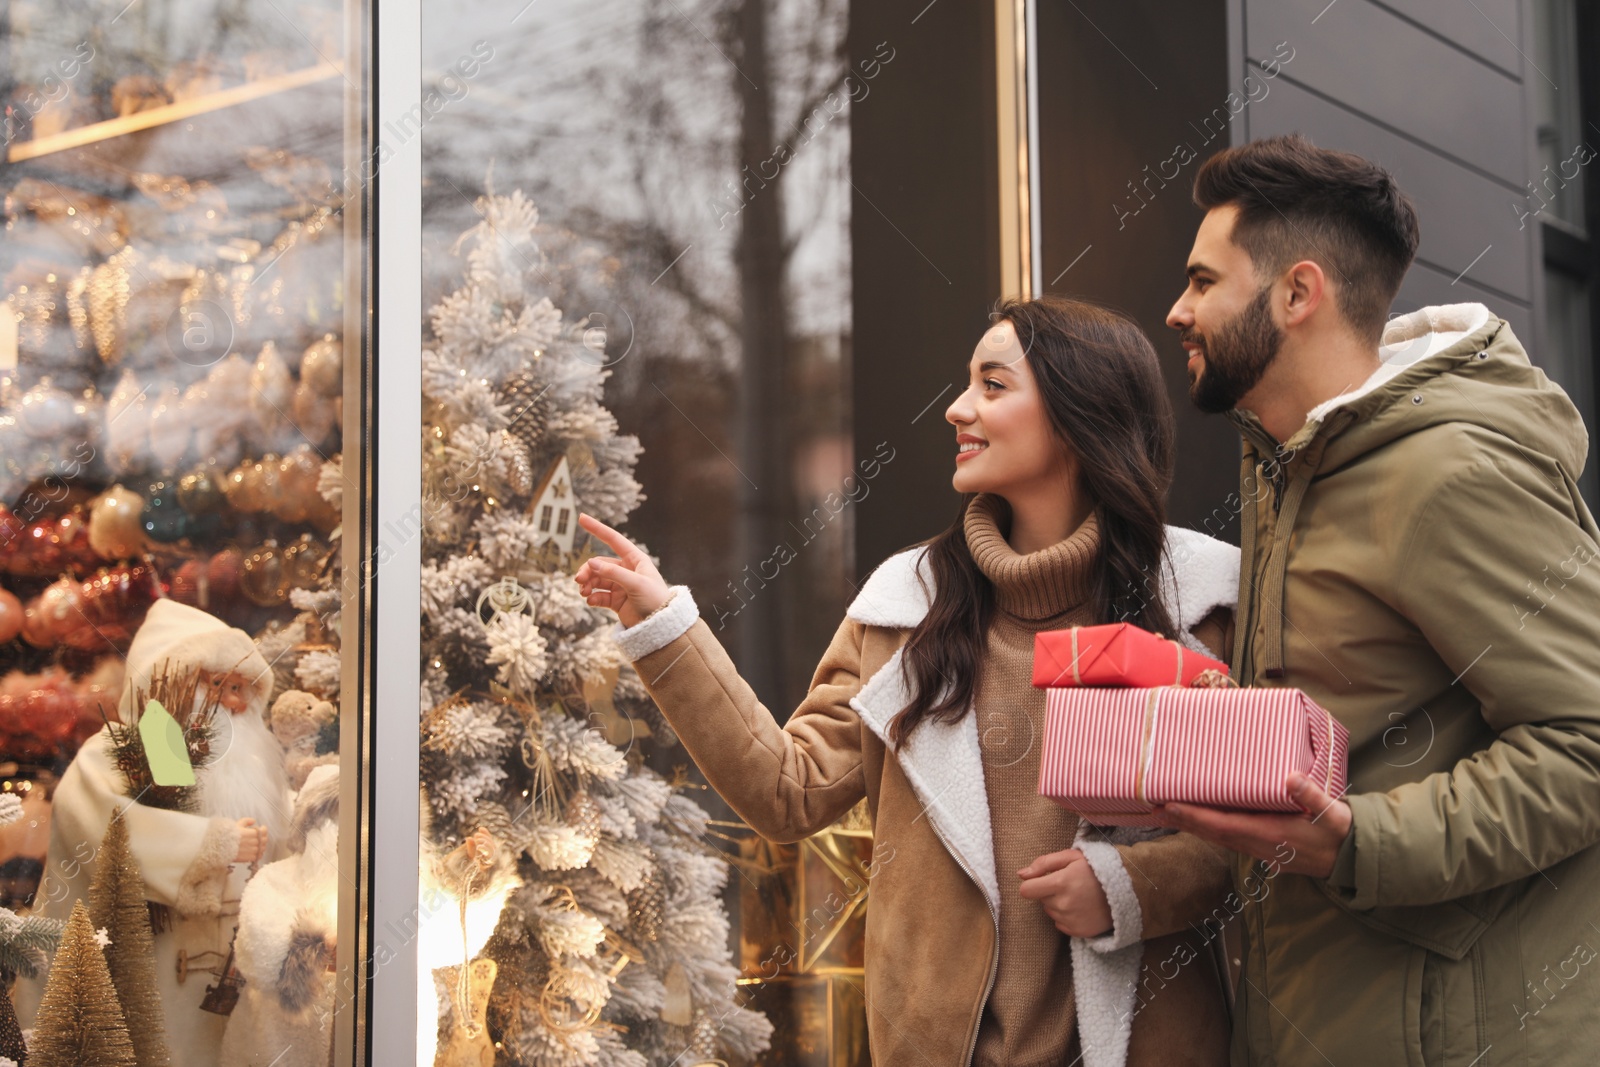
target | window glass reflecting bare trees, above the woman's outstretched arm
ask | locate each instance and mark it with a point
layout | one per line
(652, 134)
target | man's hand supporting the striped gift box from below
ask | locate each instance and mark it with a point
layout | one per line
(1314, 837)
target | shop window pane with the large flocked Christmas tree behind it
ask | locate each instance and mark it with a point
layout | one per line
(638, 284)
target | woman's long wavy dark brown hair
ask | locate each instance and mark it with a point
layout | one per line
(1103, 391)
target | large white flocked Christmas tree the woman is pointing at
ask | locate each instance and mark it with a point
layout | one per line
(615, 948)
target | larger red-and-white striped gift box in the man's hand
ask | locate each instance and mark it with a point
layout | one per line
(1114, 754)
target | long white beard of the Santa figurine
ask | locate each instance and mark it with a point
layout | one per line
(247, 777)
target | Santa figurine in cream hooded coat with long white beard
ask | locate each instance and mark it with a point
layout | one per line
(194, 863)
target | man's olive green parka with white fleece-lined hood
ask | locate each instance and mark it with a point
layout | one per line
(1420, 562)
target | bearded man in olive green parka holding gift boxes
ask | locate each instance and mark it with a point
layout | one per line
(1418, 561)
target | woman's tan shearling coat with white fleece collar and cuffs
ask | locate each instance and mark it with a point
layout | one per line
(932, 930)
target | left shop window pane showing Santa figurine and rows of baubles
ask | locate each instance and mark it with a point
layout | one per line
(180, 316)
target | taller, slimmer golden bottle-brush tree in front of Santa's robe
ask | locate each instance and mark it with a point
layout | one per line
(118, 905)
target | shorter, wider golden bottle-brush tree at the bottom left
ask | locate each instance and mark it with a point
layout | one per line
(81, 1025)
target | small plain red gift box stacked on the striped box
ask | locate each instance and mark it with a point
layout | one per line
(1114, 655)
